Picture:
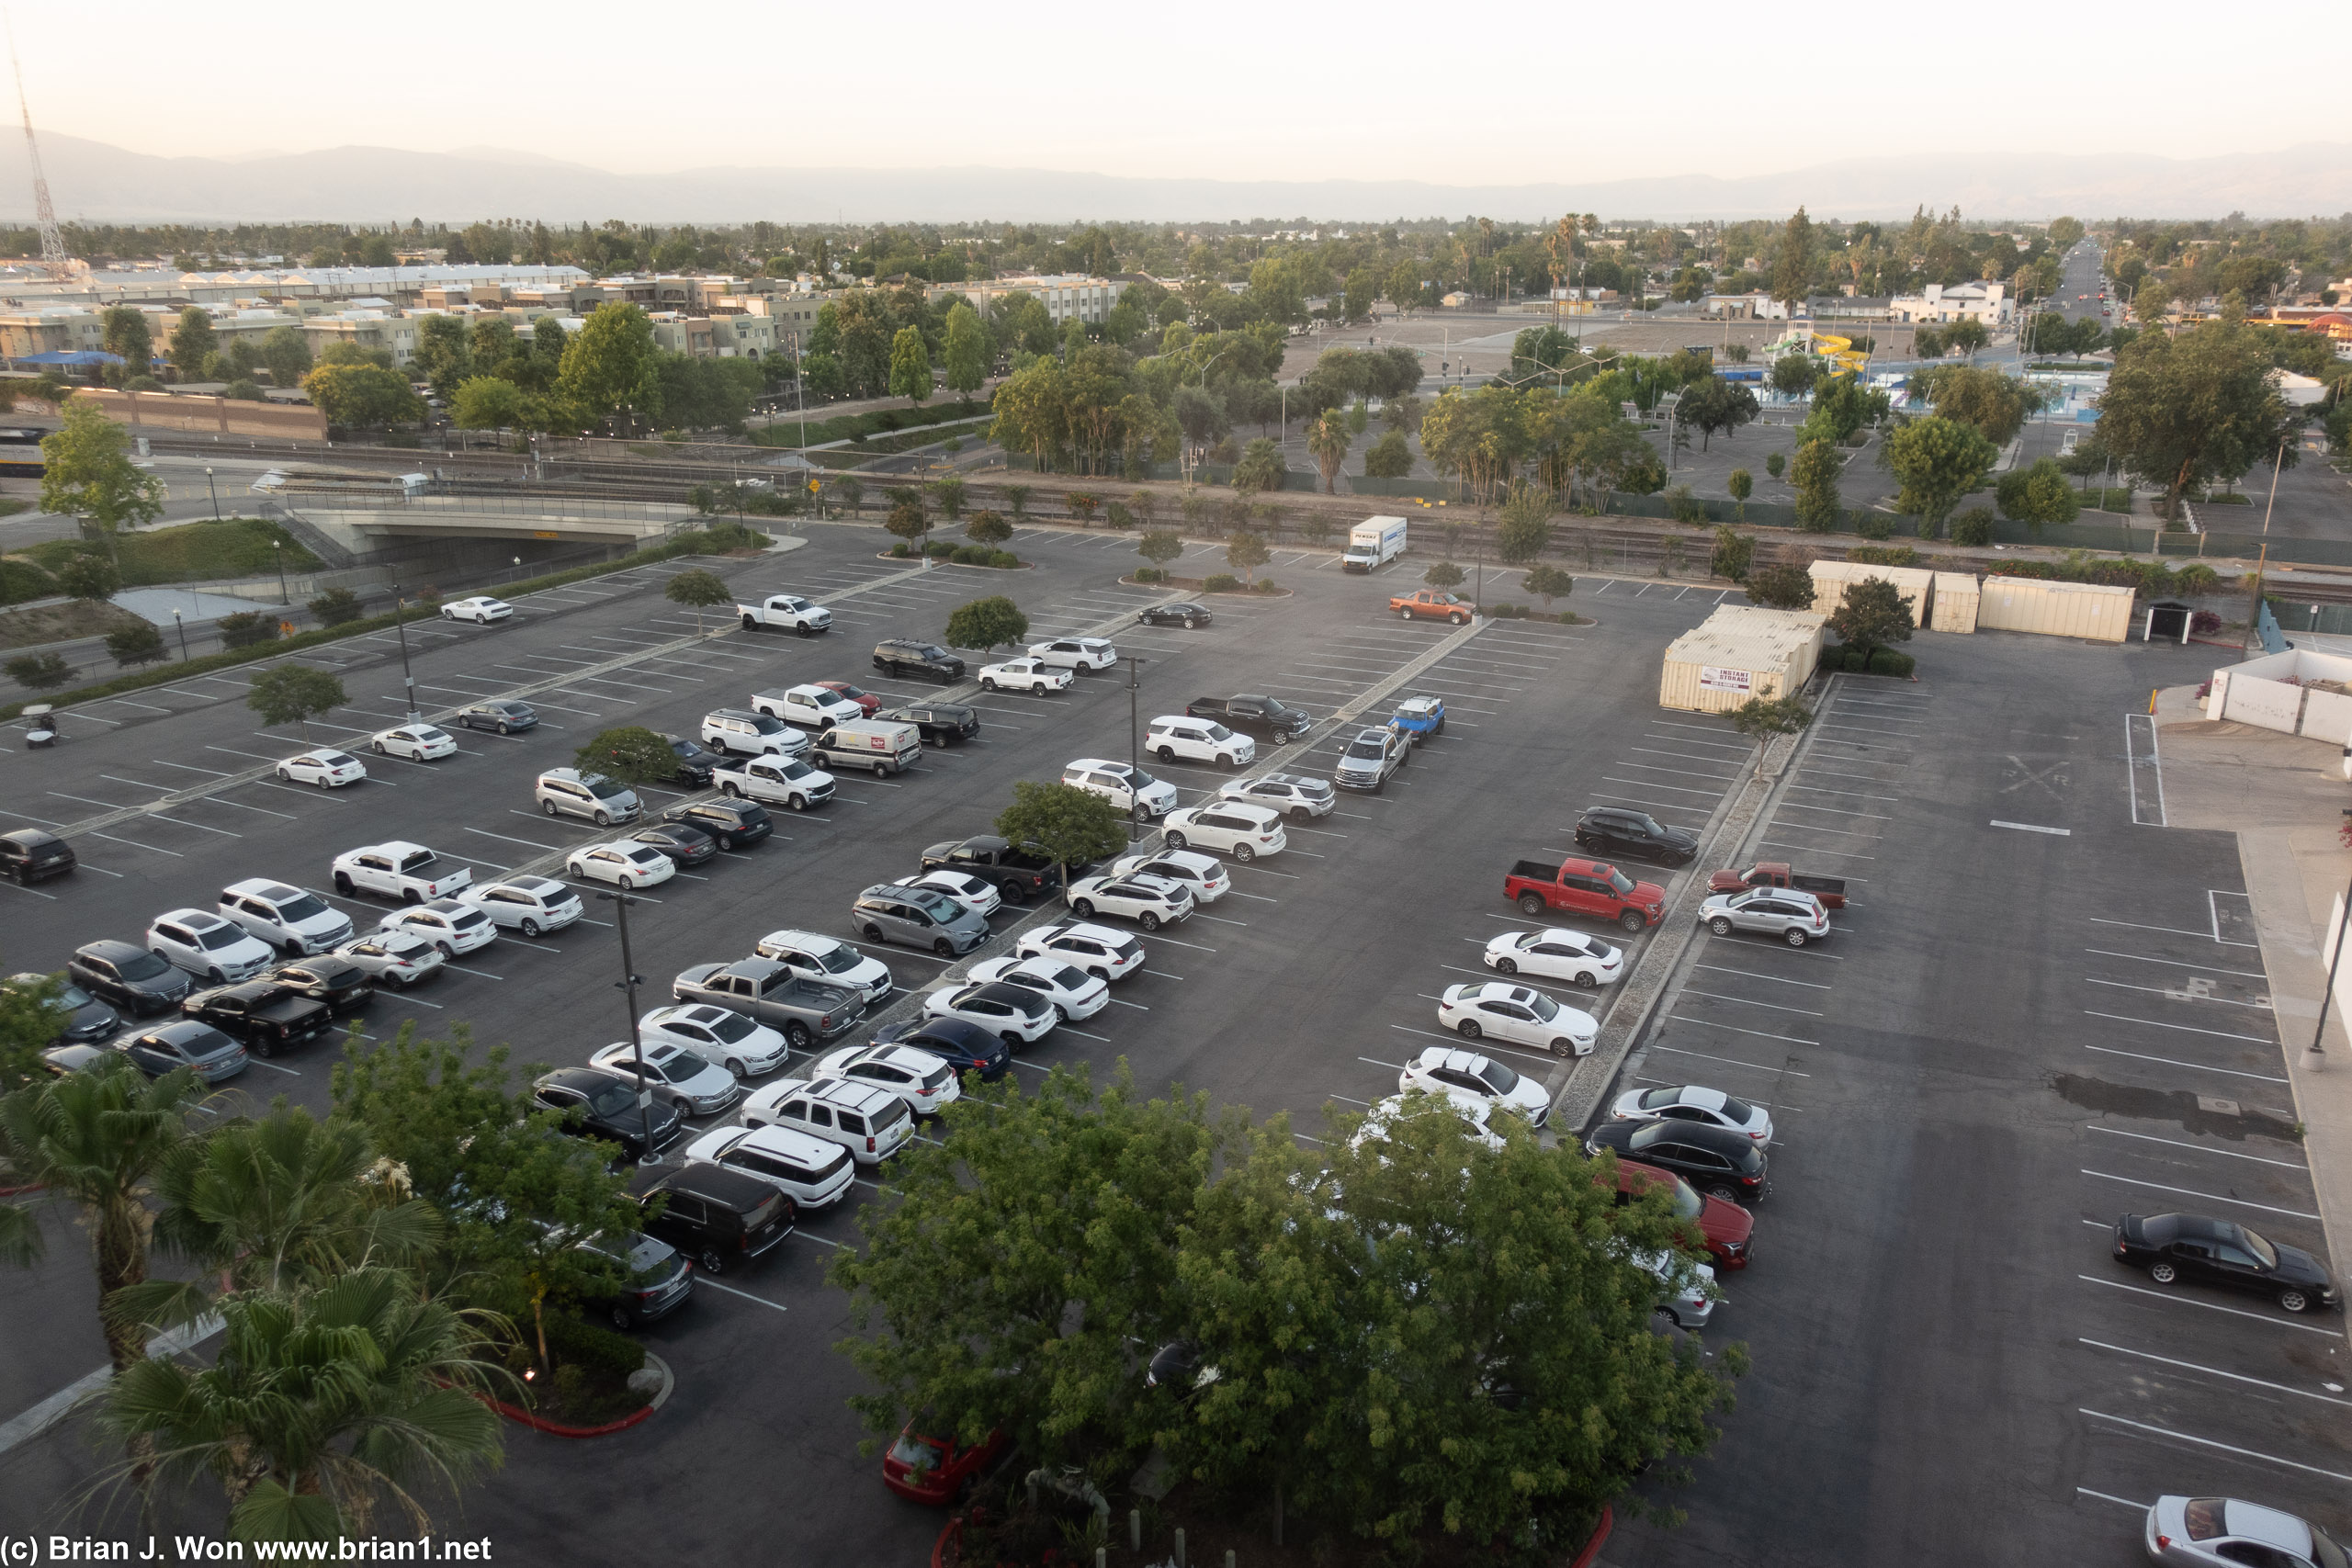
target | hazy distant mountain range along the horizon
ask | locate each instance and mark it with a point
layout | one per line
(361, 185)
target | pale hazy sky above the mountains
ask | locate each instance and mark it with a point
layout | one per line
(1210, 91)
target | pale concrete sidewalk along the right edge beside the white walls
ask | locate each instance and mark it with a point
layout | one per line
(2283, 798)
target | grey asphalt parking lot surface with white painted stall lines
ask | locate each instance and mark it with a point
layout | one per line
(2000, 1050)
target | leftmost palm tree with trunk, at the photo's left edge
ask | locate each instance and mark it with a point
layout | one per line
(95, 1141)
